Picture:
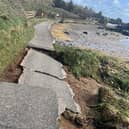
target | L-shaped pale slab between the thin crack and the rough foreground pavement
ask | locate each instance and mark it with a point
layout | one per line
(61, 88)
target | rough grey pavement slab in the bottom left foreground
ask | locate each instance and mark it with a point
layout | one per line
(25, 107)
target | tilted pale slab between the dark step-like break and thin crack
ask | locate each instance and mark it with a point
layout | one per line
(37, 61)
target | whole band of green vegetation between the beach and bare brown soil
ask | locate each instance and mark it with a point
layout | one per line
(86, 63)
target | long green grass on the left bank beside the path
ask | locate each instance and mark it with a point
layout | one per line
(14, 36)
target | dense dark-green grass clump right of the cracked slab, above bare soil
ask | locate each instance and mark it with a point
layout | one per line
(80, 63)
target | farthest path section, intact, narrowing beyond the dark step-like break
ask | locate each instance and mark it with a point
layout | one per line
(42, 38)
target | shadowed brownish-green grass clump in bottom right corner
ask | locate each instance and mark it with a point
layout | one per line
(112, 110)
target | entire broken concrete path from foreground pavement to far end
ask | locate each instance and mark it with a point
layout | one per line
(43, 95)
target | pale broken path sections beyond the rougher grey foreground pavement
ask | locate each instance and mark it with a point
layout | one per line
(45, 72)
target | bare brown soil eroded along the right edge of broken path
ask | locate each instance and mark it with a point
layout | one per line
(85, 91)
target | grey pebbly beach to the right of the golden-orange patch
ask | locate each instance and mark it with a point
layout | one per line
(89, 36)
